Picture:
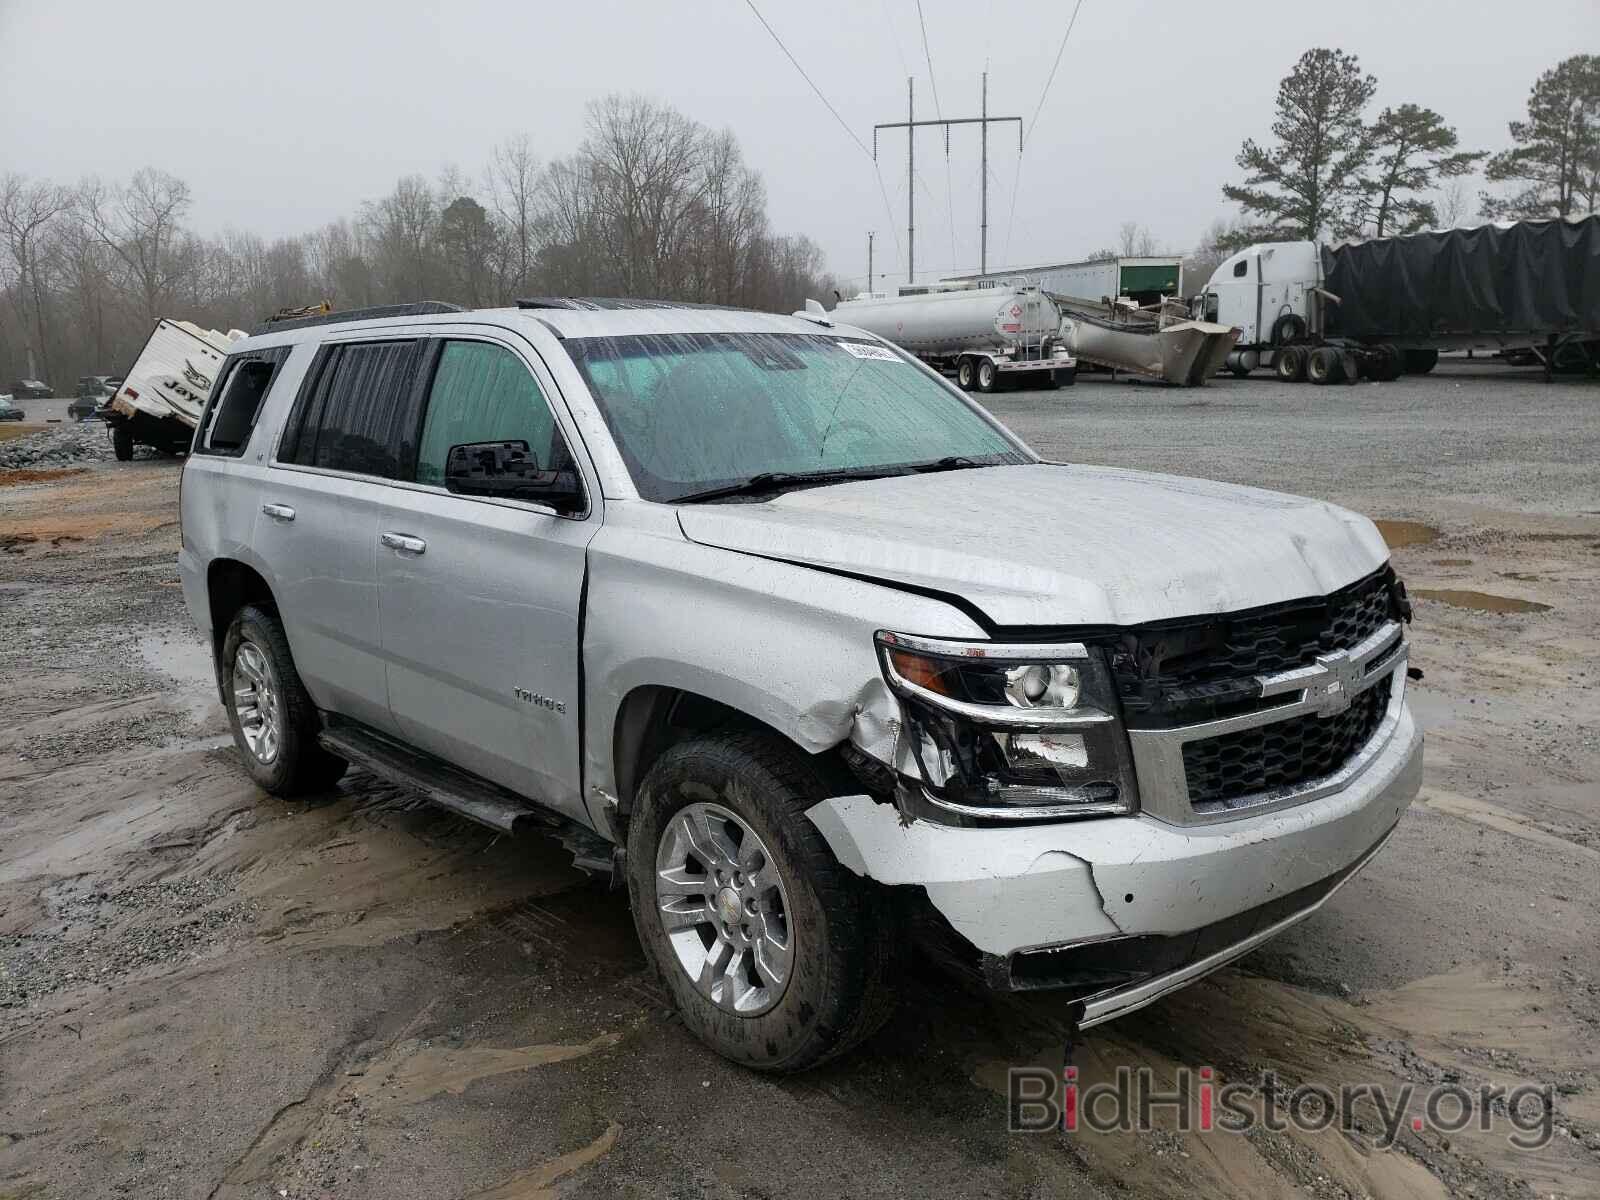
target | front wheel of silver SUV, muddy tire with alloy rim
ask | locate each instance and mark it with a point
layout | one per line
(842, 946)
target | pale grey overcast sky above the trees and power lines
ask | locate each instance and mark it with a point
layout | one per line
(287, 116)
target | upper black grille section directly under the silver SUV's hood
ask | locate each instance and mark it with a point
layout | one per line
(1202, 671)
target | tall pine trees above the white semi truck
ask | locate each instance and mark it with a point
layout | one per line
(1330, 172)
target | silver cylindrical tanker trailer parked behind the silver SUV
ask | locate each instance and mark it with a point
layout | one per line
(980, 335)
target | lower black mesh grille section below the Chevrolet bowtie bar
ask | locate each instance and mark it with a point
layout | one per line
(1284, 754)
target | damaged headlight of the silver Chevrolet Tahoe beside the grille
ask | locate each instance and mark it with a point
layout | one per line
(1012, 732)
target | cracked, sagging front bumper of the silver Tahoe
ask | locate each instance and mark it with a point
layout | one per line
(1122, 911)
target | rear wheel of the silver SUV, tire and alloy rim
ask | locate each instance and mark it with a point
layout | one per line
(258, 665)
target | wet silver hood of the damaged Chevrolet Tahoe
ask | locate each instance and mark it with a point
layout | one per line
(1047, 545)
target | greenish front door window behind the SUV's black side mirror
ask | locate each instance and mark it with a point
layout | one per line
(484, 393)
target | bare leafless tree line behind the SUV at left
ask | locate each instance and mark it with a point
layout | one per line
(652, 204)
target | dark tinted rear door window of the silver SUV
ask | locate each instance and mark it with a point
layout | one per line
(356, 412)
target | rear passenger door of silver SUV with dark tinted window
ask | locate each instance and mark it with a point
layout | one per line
(321, 505)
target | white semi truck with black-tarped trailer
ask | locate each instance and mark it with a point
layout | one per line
(1383, 308)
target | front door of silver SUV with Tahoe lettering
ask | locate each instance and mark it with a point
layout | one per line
(481, 598)
